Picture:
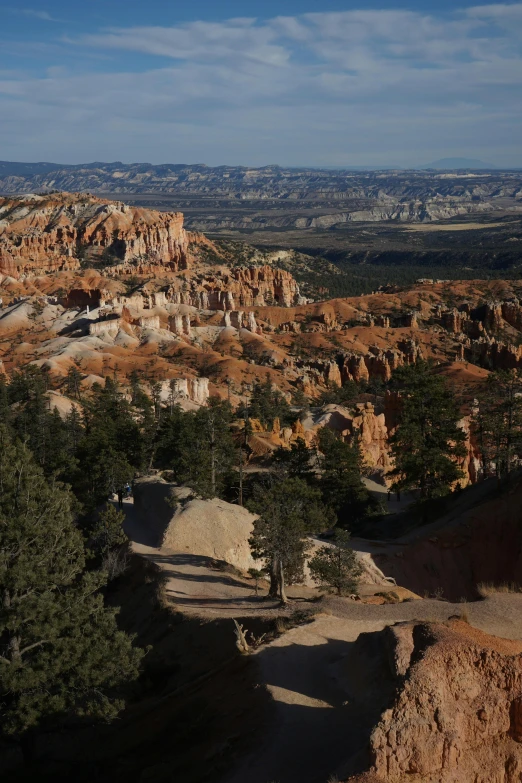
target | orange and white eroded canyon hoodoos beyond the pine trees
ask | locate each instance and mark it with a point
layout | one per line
(210, 327)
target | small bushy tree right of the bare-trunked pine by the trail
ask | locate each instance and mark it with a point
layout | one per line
(336, 568)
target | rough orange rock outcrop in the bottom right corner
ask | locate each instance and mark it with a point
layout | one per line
(457, 715)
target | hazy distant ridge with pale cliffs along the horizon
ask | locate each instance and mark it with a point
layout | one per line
(342, 196)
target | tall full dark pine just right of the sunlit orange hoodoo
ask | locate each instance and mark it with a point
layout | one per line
(428, 440)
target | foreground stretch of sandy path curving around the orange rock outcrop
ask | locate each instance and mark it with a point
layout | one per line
(315, 733)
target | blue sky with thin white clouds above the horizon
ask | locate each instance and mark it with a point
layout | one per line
(258, 82)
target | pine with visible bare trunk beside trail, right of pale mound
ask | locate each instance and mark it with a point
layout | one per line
(288, 510)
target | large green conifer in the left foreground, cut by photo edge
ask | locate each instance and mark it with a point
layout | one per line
(61, 653)
